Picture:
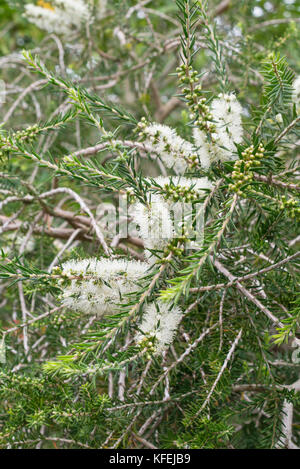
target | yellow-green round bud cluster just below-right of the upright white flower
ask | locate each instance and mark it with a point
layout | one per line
(242, 171)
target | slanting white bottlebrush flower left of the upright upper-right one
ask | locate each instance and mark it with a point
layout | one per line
(174, 151)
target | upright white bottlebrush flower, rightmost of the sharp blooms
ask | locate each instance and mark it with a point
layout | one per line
(226, 112)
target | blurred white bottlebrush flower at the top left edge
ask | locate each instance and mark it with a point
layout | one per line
(58, 16)
